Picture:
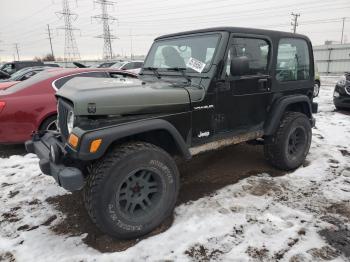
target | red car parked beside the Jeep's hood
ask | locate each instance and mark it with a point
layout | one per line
(31, 104)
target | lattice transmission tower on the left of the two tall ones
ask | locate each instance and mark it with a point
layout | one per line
(71, 51)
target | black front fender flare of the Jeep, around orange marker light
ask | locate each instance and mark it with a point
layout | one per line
(113, 133)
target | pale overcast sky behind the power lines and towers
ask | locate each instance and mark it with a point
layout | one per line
(25, 22)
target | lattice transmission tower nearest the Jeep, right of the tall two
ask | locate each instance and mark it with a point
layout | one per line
(107, 35)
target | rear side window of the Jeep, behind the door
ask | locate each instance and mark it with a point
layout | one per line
(293, 60)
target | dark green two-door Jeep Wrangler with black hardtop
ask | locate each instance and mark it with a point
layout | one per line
(198, 90)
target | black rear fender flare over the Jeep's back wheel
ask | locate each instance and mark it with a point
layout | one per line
(280, 107)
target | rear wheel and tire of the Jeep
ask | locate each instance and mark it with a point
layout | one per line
(280, 150)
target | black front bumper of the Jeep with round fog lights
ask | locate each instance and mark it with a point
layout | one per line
(70, 178)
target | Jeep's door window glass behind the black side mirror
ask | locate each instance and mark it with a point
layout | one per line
(256, 50)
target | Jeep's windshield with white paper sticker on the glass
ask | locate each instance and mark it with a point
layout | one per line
(195, 53)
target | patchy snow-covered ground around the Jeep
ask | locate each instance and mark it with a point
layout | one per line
(301, 216)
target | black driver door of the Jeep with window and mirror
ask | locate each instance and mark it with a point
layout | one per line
(244, 93)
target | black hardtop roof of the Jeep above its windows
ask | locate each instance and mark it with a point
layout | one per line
(240, 30)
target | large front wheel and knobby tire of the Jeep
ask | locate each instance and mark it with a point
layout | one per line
(116, 180)
